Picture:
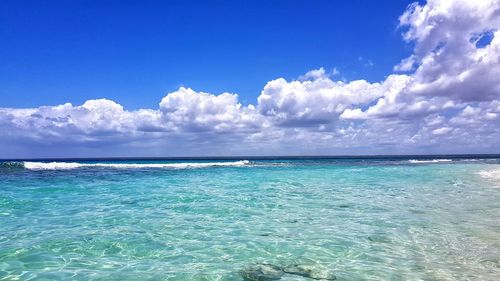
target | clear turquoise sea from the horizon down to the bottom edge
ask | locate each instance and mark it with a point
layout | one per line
(375, 218)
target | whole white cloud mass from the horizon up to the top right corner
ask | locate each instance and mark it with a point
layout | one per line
(444, 98)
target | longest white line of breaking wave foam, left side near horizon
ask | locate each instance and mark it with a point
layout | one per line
(75, 165)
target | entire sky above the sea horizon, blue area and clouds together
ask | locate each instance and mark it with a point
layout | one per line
(229, 78)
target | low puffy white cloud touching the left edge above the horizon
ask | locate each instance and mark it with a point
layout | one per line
(95, 120)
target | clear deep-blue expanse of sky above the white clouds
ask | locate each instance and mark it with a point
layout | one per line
(134, 52)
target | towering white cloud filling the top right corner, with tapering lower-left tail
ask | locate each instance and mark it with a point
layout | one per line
(450, 67)
